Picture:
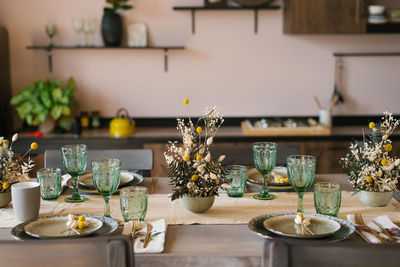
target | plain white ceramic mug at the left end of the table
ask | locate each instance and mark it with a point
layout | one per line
(26, 200)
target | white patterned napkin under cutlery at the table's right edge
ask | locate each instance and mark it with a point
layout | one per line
(384, 221)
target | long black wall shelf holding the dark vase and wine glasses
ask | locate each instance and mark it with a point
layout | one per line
(50, 49)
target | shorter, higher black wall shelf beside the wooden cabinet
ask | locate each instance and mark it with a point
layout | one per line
(256, 9)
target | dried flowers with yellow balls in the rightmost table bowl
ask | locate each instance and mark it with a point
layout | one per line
(368, 163)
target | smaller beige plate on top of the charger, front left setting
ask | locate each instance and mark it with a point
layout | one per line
(55, 226)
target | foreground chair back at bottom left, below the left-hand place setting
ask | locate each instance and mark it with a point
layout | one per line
(115, 251)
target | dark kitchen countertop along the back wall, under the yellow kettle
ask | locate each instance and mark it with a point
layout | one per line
(100, 138)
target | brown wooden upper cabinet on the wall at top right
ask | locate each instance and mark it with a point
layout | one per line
(324, 16)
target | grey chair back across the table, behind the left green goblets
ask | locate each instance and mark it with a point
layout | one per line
(138, 160)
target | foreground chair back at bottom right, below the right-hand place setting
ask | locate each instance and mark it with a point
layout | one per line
(282, 253)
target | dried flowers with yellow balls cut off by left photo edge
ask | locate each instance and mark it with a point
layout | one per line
(13, 168)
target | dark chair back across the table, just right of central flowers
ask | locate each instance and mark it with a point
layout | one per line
(243, 155)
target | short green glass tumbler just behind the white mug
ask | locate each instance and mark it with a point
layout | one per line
(50, 183)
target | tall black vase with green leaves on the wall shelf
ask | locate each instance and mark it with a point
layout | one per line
(111, 25)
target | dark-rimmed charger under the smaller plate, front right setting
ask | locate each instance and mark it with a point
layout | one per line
(256, 225)
